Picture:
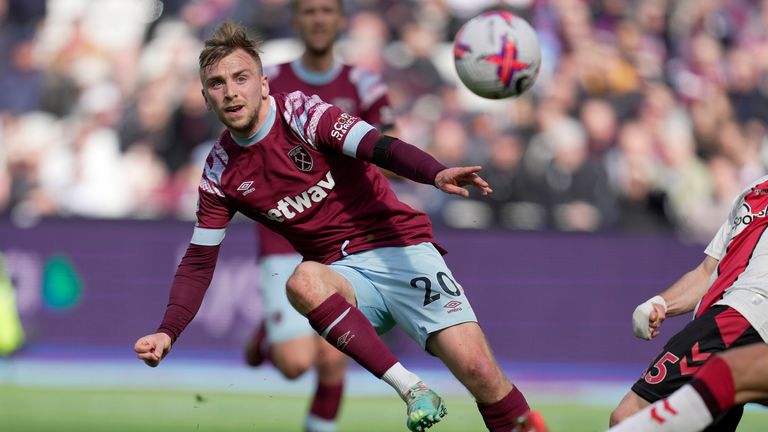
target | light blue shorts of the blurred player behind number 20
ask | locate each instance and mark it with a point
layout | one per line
(282, 320)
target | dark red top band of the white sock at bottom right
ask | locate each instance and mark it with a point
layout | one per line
(714, 383)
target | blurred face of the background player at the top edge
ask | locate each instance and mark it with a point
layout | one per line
(318, 23)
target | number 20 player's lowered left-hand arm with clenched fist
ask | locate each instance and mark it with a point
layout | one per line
(192, 278)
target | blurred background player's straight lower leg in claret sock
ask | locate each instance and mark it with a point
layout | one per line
(330, 365)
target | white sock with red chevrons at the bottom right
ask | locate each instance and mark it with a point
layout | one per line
(682, 411)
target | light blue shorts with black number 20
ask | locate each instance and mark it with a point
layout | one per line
(408, 286)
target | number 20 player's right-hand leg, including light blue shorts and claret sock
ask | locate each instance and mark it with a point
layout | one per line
(425, 300)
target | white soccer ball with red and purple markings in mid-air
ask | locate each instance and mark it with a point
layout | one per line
(497, 55)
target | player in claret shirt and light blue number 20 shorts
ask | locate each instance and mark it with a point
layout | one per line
(307, 170)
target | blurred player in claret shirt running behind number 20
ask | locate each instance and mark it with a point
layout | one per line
(285, 336)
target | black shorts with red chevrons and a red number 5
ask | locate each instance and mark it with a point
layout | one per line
(718, 329)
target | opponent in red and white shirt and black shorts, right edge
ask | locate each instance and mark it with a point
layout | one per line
(730, 286)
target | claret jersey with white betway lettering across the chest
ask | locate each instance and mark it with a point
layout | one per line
(299, 176)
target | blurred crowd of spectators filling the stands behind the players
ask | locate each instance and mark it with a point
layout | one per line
(647, 116)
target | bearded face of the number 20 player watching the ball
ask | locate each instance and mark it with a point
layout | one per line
(235, 90)
